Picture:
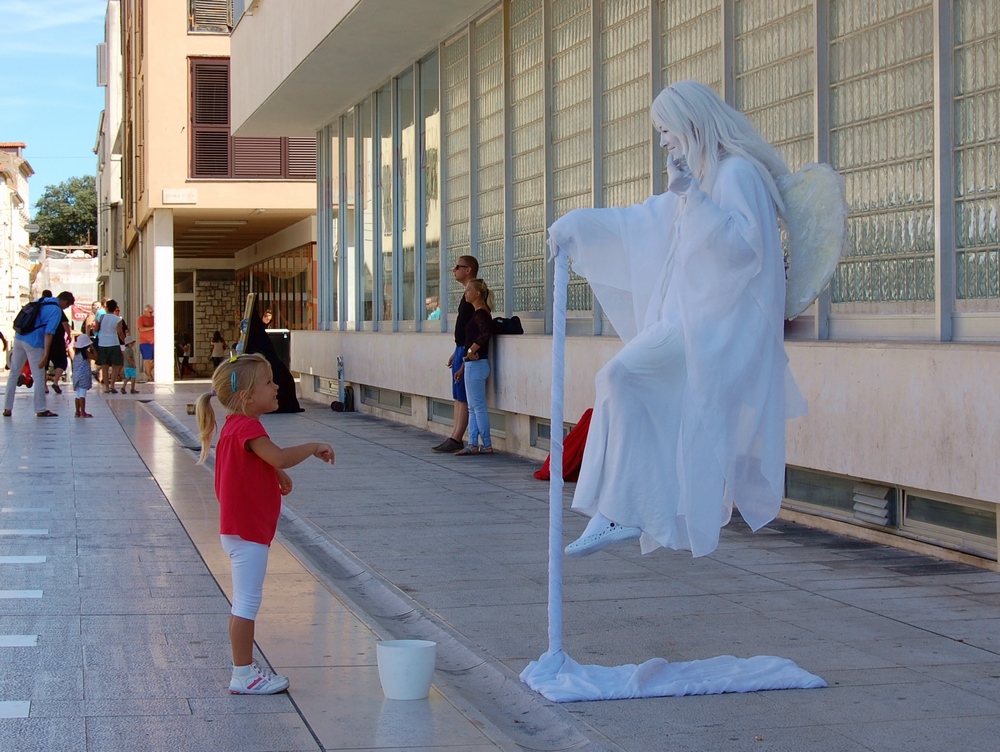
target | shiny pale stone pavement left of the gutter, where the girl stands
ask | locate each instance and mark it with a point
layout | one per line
(113, 625)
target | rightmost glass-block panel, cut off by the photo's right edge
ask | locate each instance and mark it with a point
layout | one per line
(977, 147)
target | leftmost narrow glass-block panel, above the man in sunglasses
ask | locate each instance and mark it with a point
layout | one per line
(455, 86)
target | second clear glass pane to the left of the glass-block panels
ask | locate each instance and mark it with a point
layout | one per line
(408, 193)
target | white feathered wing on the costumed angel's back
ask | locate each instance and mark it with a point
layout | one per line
(815, 225)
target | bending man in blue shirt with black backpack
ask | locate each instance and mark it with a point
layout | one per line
(35, 326)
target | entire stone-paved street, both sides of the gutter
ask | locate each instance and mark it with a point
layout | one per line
(908, 644)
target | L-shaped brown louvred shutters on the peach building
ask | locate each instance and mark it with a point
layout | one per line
(214, 153)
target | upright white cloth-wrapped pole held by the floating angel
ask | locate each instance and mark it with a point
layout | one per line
(556, 451)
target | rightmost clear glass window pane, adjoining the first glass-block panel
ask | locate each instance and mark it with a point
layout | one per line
(430, 127)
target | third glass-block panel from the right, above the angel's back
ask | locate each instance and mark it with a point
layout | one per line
(774, 65)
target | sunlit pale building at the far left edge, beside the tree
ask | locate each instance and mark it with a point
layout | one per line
(15, 267)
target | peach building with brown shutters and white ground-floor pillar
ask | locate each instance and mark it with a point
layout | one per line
(205, 217)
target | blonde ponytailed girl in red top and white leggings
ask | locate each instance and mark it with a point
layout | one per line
(249, 482)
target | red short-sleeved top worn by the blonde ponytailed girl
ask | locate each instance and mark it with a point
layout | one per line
(246, 486)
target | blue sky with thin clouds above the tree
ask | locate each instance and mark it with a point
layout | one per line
(49, 97)
